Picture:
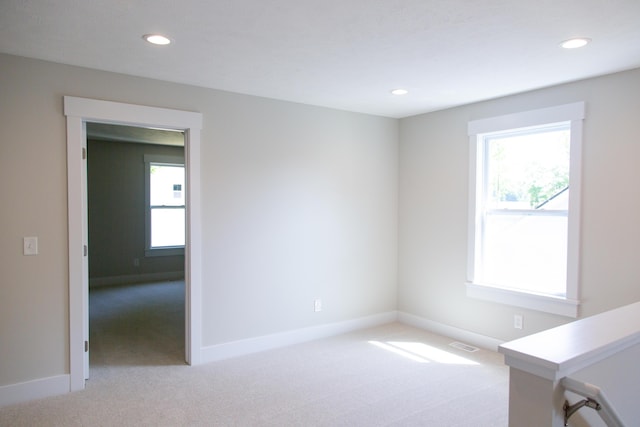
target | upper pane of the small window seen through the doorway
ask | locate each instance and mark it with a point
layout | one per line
(166, 185)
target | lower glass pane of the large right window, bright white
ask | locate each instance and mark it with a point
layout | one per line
(526, 252)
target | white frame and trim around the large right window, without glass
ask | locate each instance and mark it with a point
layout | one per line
(565, 306)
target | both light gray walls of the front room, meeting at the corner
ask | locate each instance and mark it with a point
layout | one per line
(300, 202)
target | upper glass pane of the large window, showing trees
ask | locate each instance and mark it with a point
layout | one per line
(525, 171)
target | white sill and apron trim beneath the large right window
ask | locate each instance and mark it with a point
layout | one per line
(549, 304)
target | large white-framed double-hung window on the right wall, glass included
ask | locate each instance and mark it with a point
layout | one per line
(524, 209)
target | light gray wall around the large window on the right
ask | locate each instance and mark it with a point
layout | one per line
(433, 213)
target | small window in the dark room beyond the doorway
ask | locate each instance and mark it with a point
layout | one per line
(165, 201)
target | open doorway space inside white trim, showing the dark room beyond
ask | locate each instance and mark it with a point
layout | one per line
(136, 235)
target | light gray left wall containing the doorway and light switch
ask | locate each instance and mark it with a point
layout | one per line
(298, 202)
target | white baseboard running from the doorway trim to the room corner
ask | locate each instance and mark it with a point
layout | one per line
(267, 342)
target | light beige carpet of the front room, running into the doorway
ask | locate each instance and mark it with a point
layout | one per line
(392, 375)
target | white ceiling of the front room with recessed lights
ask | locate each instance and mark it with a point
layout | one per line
(345, 54)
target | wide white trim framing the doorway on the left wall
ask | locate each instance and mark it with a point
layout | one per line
(78, 112)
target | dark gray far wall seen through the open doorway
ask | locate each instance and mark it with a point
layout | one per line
(116, 205)
